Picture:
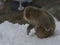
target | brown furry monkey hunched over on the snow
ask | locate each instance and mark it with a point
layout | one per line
(41, 20)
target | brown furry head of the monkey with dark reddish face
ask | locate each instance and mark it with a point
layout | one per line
(31, 13)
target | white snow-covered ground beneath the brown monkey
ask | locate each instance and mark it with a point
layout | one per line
(15, 34)
